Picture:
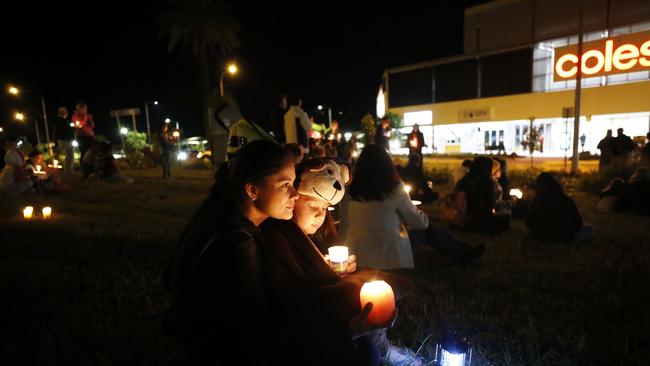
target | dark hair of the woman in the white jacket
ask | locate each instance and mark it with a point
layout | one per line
(375, 177)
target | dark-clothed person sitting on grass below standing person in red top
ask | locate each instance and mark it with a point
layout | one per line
(100, 159)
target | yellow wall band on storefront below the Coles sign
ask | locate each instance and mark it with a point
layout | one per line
(611, 99)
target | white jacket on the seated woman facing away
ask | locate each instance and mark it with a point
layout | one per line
(374, 230)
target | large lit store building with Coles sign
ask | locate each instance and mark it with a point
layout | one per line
(518, 70)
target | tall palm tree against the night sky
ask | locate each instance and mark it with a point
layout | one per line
(204, 27)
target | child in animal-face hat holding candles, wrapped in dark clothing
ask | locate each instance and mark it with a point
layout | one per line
(301, 279)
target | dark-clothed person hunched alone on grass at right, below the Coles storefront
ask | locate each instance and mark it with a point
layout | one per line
(553, 215)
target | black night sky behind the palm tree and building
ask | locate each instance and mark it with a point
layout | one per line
(110, 56)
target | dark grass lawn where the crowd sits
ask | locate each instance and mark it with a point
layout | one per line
(85, 288)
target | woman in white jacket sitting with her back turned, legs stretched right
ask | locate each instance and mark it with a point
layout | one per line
(373, 223)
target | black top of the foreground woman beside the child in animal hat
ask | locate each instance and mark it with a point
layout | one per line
(217, 290)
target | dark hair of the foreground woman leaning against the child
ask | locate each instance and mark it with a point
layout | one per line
(253, 163)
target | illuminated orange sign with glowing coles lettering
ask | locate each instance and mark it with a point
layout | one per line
(617, 55)
